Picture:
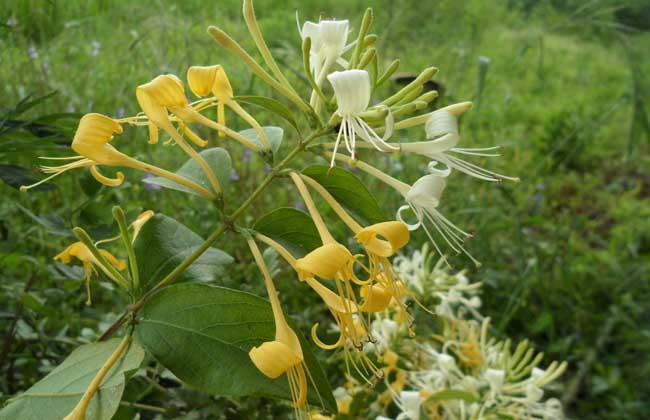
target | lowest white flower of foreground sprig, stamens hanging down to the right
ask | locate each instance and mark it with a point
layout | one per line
(423, 198)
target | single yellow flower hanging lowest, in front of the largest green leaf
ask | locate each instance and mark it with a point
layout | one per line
(284, 353)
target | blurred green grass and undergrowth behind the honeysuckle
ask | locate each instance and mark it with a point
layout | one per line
(563, 85)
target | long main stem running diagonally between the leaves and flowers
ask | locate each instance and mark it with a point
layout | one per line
(133, 309)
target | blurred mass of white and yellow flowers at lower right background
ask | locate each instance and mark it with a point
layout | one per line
(458, 371)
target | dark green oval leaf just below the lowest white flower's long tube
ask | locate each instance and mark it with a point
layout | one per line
(349, 191)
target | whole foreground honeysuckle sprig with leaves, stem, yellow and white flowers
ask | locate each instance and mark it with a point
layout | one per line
(226, 341)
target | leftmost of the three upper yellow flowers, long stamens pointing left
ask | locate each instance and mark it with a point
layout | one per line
(92, 141)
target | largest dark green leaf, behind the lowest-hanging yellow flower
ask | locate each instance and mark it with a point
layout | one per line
(203, 335)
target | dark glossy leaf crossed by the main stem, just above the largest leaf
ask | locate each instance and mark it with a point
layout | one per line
(163, 243)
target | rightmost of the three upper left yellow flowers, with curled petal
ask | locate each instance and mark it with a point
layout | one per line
(213, 79)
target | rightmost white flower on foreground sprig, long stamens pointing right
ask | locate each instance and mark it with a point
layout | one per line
(442, 131)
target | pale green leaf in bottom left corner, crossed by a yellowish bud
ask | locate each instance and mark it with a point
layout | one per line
(54, 396)
